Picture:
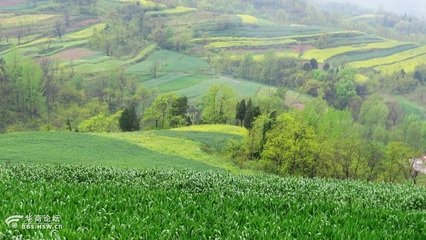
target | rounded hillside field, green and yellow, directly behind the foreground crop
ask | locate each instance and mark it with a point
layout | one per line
(192, 147)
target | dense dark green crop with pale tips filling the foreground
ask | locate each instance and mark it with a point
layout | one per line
(105, 203)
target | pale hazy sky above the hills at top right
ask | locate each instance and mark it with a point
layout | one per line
(416, 7)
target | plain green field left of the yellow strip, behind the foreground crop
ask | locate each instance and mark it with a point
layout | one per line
(85, 149)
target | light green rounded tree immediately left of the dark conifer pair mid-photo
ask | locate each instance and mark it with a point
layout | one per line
(218, 104)
